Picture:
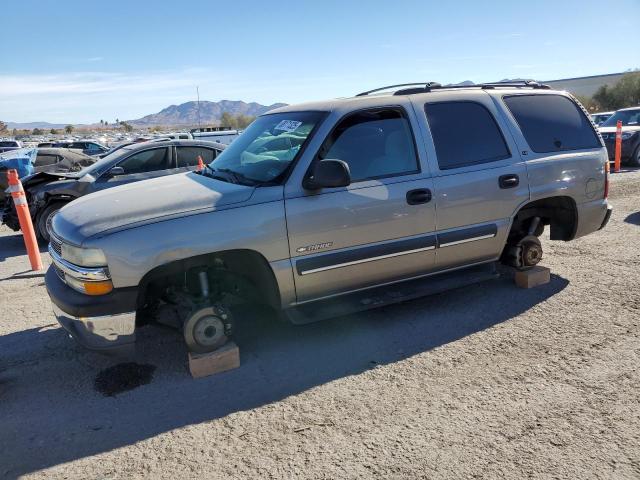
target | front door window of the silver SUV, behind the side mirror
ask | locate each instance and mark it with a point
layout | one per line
(374, 143)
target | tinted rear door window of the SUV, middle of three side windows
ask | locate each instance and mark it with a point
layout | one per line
(464, 133)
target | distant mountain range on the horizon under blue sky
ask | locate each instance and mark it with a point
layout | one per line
(183, 114)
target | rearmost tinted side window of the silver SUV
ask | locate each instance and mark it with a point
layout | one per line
(552, 123)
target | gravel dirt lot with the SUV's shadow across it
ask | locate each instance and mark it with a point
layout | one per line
(491, 382)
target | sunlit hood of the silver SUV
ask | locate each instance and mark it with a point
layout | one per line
(144, 202)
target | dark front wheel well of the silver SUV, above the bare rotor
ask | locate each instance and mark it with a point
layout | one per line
(246, 272)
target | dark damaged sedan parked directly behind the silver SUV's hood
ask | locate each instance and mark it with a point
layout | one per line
(48, 192)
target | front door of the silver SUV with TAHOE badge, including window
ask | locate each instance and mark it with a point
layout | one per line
(378, 229)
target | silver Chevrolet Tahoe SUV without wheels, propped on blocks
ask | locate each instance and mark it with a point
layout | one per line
(325, 208)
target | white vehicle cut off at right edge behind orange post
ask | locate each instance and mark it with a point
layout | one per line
(630, 118)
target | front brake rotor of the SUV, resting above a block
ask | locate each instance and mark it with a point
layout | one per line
(205, 330)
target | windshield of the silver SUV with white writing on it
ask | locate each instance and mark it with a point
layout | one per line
(266, 149)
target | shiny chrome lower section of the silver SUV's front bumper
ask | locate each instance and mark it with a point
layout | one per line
(99, 333)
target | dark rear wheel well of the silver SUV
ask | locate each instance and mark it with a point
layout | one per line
(560, 213)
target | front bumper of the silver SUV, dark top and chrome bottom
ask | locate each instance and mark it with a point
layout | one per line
(96, 322)
